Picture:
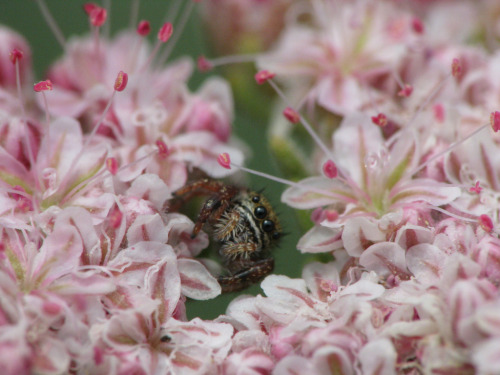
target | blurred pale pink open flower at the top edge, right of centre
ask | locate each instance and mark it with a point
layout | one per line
(337, 62)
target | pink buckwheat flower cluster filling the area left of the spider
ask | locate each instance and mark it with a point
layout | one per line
(94, 268)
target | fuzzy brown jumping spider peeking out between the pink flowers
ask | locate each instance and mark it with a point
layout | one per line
(243, 223)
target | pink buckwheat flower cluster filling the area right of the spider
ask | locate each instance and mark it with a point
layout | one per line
(402, 183)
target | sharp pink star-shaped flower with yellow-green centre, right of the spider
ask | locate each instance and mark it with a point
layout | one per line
(377, 182)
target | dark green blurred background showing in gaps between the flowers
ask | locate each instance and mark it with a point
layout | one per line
(252, 105)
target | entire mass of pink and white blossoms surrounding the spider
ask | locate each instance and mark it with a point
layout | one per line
(402, 182)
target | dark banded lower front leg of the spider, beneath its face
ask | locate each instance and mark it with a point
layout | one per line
(247, 276)
